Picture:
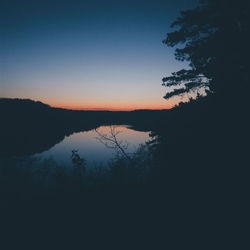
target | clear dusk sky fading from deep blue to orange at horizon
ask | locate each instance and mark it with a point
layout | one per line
(94, 54)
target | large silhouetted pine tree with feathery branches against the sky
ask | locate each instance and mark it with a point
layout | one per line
(213, 38)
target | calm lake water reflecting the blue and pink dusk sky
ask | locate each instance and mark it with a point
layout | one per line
(91, 149)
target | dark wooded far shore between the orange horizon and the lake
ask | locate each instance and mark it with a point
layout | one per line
(29, 127)
